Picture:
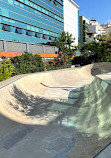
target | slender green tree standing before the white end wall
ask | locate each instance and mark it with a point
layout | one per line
(65, 43)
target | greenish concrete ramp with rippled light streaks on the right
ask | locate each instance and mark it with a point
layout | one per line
(92, 108)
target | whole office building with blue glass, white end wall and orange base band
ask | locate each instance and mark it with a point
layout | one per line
(25, 25)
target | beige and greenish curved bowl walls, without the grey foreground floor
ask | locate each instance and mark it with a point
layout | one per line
(66, 95)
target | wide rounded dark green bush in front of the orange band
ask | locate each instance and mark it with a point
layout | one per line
(28, 63)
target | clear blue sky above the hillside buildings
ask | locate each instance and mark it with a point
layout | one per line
(99, 9)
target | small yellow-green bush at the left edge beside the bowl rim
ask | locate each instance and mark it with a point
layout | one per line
(6, 69)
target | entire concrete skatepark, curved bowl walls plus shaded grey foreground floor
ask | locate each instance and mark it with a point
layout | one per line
(57, 114)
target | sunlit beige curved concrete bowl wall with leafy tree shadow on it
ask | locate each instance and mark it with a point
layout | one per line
(27, 100)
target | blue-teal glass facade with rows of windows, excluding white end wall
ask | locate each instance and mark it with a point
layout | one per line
(31, 21)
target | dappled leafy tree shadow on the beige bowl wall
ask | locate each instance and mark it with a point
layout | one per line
(31, 105)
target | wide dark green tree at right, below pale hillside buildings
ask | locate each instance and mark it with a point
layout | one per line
(97, 51)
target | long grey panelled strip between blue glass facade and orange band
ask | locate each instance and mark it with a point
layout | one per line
(13, 46)
